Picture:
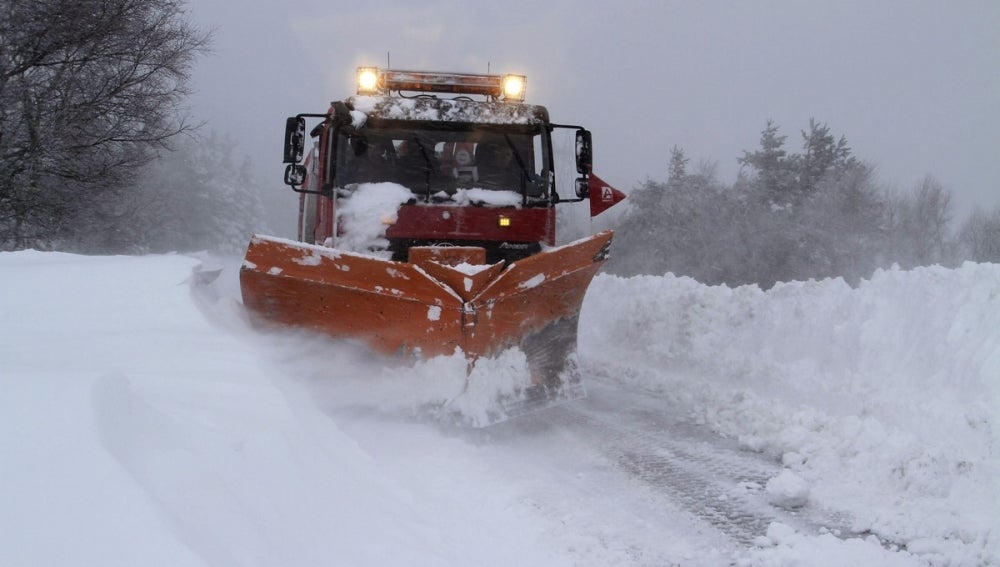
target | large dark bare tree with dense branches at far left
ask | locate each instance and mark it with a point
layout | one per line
(89, 90)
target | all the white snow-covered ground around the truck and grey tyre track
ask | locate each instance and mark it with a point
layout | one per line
(144, 424)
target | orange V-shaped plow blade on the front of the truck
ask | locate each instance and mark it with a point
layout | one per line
(437, 301)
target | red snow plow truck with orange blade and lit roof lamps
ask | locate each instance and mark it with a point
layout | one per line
(427, 223)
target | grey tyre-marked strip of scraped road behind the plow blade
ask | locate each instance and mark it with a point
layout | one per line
(705, 475)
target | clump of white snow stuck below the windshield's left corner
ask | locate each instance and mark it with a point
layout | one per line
(364, 216)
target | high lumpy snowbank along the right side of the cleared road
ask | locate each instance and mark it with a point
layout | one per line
(884, 400)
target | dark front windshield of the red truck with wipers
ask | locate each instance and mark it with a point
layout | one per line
(437, 163)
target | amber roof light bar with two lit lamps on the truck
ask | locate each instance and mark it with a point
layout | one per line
(372, 80)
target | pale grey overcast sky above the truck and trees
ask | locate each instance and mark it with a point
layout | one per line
(914, 86)
